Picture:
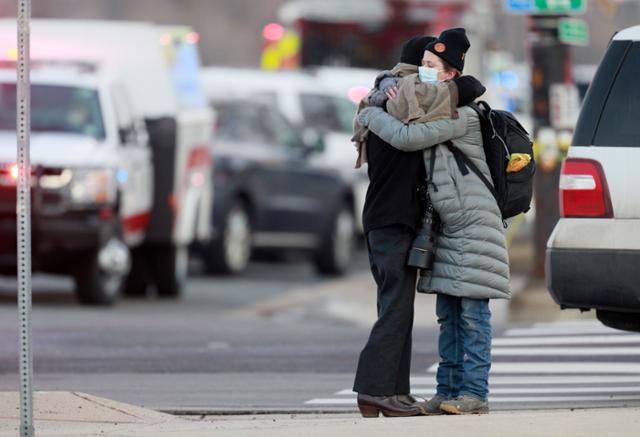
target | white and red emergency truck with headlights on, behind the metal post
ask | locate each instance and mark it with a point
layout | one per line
(120, 152)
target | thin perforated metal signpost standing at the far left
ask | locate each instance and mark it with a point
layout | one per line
(23, 211)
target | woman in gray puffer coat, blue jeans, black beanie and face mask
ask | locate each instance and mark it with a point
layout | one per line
(471, 262)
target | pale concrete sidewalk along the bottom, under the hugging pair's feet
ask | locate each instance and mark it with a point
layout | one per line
(65, 414)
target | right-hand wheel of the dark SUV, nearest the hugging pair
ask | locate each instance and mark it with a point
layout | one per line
(337, 246)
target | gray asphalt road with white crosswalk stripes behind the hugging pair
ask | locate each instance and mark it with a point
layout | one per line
(222, 349)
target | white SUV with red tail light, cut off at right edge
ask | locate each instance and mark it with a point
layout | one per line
(593, 254)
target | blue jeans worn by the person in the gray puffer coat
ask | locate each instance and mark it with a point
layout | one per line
(464, 346)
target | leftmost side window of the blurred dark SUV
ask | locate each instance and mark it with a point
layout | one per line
(240, 124)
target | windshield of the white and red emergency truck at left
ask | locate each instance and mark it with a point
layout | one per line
(55, 109)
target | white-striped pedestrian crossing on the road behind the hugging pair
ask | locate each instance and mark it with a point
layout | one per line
(564, 364)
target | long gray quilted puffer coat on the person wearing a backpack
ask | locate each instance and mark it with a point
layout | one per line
(471, 255)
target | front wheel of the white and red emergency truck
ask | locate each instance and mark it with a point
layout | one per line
(95, 286)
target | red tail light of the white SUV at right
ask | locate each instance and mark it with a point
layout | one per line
(583, 189)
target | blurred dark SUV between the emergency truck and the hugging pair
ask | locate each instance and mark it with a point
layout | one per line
(270, 196)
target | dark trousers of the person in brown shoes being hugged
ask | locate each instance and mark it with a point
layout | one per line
(385, 361)
